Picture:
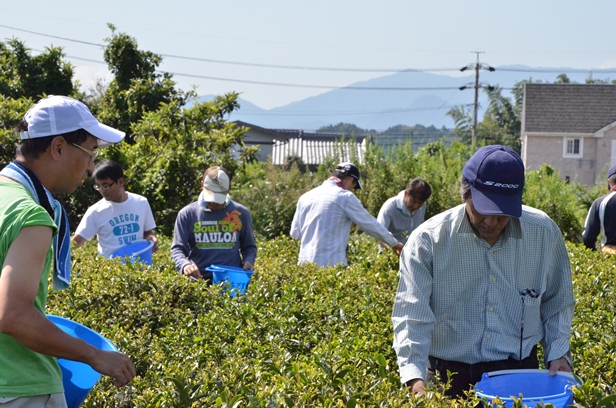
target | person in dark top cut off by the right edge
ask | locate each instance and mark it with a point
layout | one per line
(601, 218)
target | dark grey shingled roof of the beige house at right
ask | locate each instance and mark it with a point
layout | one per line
(568, 108)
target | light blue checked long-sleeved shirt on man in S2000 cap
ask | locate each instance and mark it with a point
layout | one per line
(460, 299)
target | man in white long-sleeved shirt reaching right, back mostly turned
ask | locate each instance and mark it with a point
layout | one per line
(324, 216)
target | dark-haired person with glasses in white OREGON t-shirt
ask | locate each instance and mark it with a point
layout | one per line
(120, 218)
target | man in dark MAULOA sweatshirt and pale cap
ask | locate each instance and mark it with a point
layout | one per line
(213, 230)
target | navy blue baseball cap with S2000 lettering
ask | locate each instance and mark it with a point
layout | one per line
(496, 176)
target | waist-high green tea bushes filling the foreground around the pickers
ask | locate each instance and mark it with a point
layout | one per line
(301, 337)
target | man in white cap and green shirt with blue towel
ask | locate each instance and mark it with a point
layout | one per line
(59, 138)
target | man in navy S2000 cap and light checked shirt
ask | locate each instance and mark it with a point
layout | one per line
(483, 283)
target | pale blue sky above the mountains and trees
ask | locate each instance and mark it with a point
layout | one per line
(278, 52)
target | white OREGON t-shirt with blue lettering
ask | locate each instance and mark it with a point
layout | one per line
(116, 224)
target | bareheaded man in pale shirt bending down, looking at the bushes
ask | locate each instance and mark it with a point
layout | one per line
(404, 212)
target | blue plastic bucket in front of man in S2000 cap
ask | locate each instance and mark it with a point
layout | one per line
(536, 387)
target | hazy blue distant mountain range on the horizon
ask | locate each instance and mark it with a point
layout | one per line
(381, 109)
